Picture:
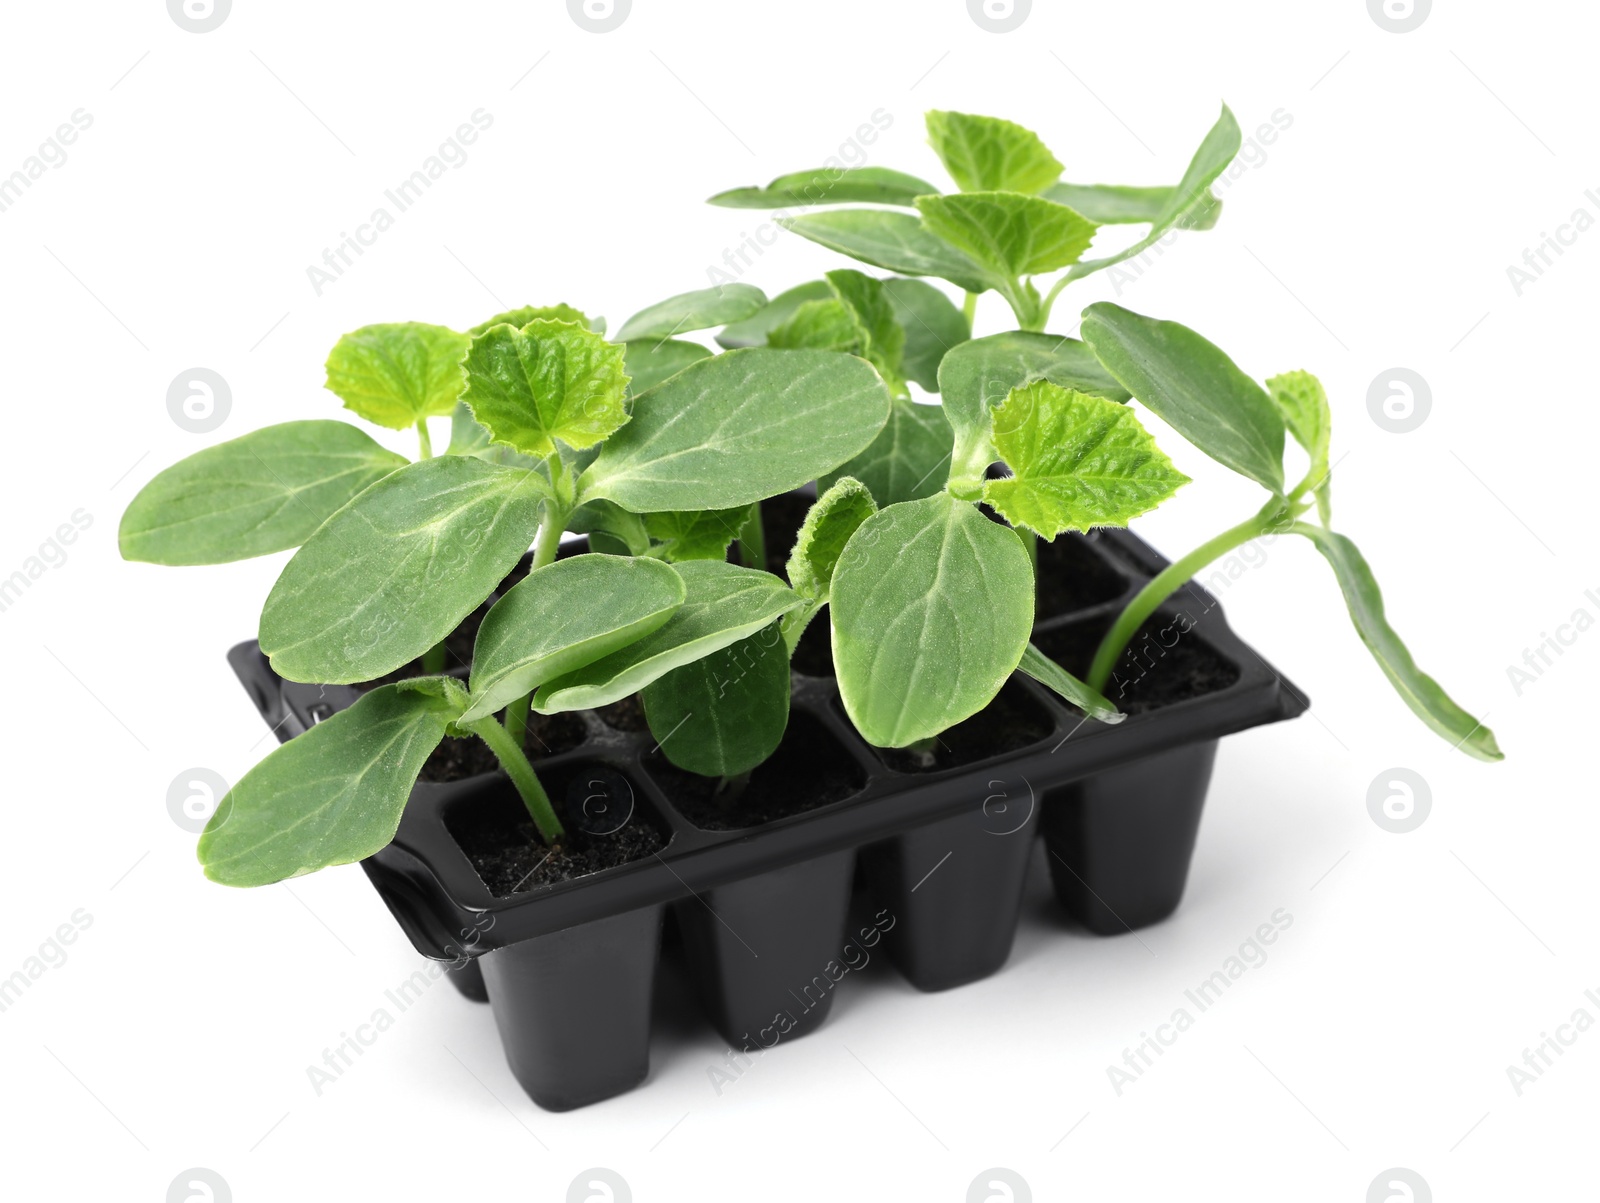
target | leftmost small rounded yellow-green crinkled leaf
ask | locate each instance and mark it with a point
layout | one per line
(398, 374)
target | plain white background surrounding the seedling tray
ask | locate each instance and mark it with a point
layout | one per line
(1375, 233)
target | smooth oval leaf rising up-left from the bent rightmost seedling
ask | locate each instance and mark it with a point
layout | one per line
(1194, 388)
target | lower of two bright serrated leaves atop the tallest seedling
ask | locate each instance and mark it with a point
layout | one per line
(1007, 233)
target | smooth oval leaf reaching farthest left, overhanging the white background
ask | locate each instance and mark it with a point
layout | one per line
(260, 494)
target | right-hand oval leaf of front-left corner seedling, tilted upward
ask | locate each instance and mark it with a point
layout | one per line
(564, 617)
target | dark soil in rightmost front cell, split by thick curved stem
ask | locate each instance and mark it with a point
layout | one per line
(1164, 663)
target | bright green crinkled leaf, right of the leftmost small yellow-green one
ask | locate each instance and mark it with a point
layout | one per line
(543, 383)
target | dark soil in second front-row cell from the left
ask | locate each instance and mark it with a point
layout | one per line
(809, 770)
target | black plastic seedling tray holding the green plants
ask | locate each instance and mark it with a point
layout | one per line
(943, 847)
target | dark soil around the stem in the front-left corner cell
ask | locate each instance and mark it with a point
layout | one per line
(503, 845)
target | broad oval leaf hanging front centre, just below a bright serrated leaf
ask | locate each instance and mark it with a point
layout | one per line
(932, 609)
